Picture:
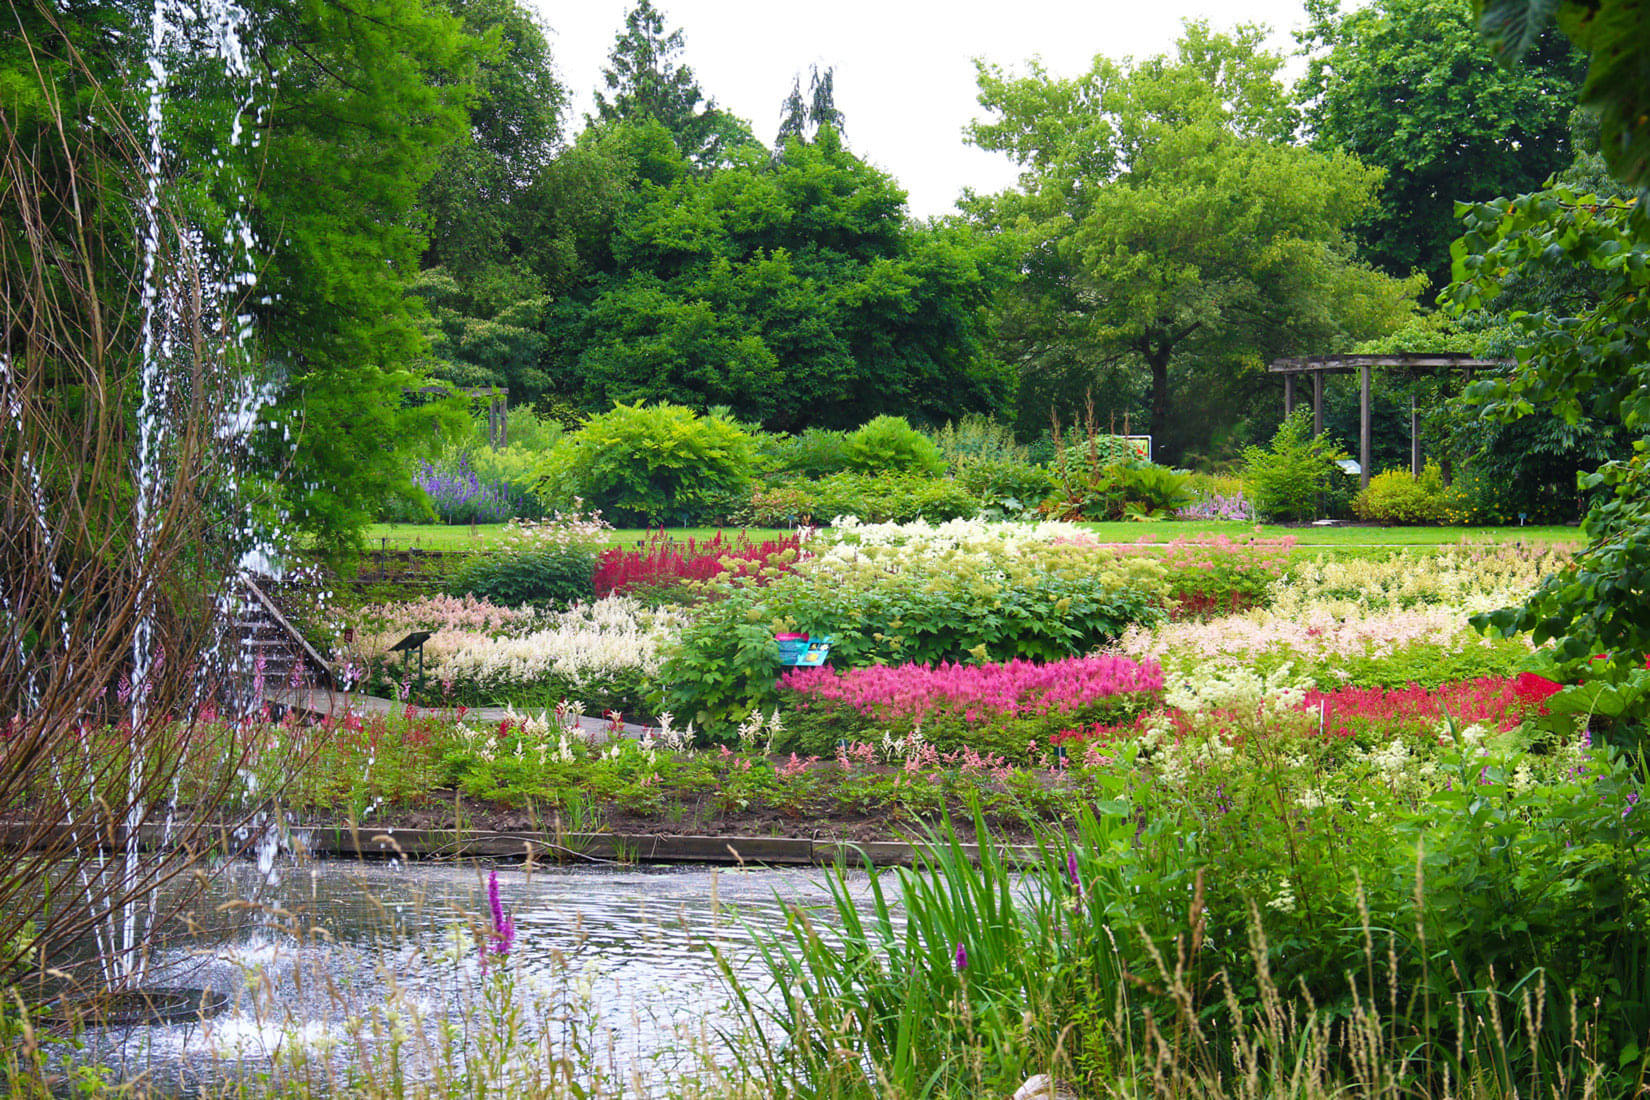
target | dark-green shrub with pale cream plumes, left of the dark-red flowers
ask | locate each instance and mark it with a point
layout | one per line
(537, 563)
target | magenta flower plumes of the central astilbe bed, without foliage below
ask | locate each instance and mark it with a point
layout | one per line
(976, 692)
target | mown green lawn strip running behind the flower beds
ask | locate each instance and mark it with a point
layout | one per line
(460, 538)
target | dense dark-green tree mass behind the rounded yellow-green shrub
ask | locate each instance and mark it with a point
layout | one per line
(793, 293)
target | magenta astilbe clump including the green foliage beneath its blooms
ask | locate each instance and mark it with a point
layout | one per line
(989, 708)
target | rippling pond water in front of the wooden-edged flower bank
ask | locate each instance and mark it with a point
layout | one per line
(344, 967)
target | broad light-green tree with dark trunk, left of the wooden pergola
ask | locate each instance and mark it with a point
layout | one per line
(1172, 225)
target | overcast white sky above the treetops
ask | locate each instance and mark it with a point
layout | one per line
(905, 72)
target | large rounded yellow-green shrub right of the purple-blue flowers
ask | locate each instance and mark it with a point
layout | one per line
(648, 464)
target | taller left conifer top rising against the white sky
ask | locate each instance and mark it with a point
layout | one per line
(646, 80)
